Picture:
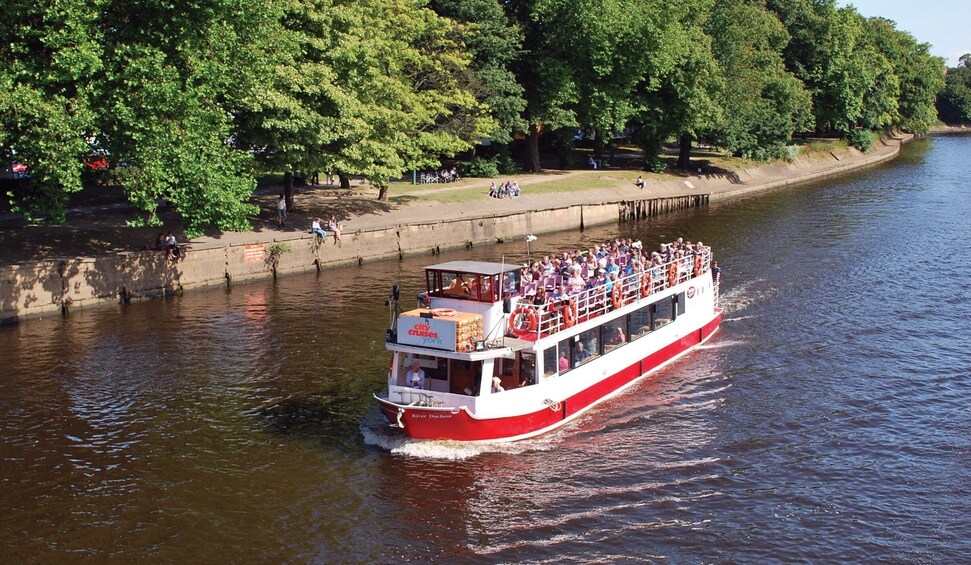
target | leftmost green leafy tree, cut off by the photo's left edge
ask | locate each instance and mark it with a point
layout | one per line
(49, 61)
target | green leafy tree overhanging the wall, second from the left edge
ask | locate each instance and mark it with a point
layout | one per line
(164, 105)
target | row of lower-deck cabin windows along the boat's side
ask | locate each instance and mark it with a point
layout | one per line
(584, 347)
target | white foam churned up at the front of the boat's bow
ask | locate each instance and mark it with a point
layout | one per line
(389, 439)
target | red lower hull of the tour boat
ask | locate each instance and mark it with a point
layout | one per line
(458, 424)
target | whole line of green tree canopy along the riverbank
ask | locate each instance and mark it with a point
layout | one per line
(189, 102)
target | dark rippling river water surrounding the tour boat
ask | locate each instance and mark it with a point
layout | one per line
(828, 420)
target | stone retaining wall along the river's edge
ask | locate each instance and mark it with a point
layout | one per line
(58, 286)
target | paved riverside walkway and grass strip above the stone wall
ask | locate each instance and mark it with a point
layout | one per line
(96, 230)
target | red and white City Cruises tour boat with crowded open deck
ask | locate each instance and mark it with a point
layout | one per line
(483, 359)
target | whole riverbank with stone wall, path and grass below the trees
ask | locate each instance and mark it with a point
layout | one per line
(37, 277)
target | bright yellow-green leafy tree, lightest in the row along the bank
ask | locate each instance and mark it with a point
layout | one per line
(368, 88)
